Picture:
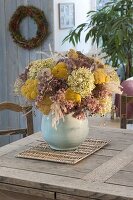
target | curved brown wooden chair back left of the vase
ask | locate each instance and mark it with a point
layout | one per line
(26, 110)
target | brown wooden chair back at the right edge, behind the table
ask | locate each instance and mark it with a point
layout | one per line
(126, 104)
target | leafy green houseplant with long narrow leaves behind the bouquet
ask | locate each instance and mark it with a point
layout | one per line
(111, 28)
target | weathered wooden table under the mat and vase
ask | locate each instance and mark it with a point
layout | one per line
(107, 174)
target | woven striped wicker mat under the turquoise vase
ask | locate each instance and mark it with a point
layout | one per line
(43, 152)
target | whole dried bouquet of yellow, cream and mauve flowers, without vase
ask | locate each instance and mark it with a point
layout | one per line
(69, 83)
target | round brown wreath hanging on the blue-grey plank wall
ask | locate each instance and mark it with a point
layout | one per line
(42, 26)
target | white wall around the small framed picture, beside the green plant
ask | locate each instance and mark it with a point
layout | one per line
(81, 9)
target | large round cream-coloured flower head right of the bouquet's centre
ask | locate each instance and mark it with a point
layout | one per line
(81, 81)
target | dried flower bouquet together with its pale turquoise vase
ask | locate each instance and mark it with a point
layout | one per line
(67, 88)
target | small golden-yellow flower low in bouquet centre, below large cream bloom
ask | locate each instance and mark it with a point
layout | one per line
(72, 96)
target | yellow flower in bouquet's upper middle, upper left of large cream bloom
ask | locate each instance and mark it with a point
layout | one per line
(60, 70)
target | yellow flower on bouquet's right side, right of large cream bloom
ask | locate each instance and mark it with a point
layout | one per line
(100, 76)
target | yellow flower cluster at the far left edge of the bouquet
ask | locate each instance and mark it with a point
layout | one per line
(29, 89)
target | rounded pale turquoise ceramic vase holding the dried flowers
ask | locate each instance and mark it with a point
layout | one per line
(68, 135)
